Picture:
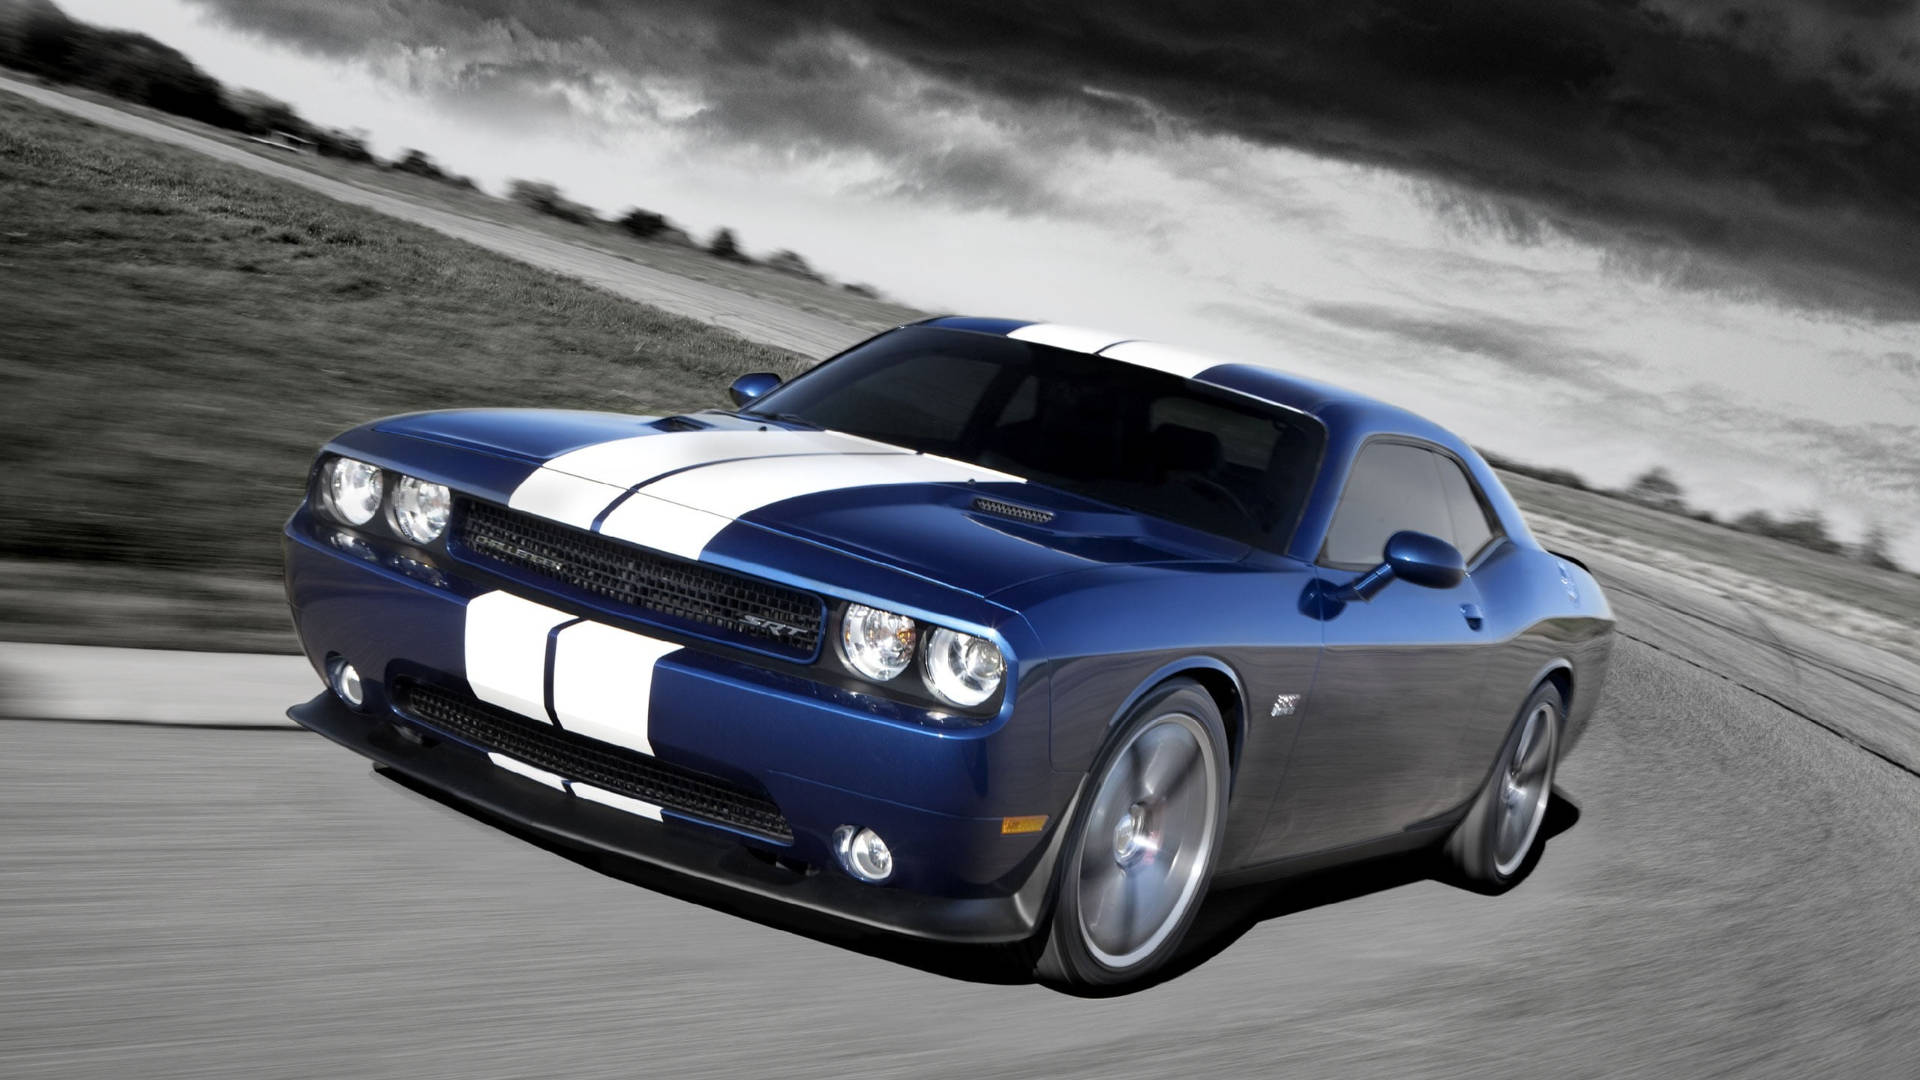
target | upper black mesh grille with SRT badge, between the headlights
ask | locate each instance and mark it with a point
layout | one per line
(746, 608)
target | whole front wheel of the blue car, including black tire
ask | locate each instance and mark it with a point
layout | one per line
(1136, 841)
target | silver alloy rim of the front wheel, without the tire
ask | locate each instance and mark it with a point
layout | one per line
(1149, 839)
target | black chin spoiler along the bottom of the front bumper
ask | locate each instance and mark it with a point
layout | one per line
(684, 848)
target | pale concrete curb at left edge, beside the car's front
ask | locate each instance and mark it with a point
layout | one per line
(151, 687)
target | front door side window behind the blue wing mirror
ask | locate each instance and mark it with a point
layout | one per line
(1391, 487)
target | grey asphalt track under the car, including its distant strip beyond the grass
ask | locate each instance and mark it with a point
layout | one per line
(1729, 895)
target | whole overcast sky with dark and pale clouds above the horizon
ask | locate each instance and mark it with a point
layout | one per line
(1598, 235)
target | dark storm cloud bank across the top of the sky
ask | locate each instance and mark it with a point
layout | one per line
(1721, 143)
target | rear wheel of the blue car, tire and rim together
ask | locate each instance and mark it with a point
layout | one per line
(1491, 850)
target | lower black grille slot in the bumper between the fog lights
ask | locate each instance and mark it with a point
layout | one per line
(594, 762)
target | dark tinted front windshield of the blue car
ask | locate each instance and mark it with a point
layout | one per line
(1099, 428)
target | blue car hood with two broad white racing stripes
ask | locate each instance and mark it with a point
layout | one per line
(708, 485)
